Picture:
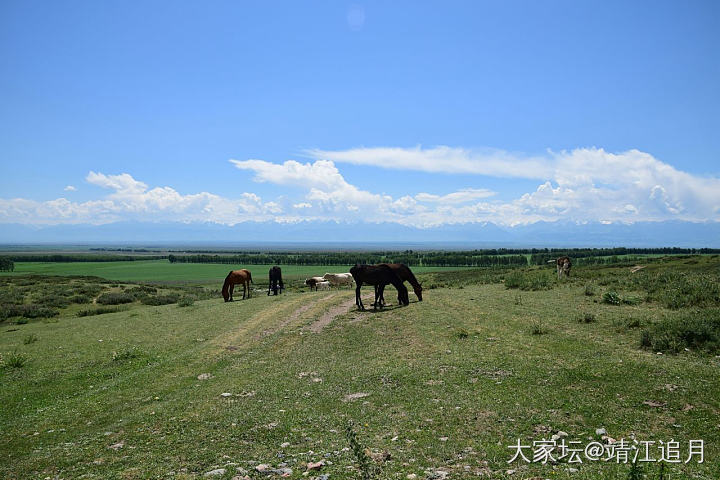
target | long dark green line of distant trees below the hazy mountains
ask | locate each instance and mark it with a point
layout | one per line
(500, 257)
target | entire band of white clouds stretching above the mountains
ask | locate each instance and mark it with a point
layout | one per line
(581, 185)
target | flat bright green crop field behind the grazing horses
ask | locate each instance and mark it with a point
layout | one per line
(166, 272)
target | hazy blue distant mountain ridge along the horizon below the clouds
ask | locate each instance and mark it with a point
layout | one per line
(540, 234)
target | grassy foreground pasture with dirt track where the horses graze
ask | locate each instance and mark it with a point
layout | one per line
(444, 385)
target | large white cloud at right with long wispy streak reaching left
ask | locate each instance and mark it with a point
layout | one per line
(586, 184)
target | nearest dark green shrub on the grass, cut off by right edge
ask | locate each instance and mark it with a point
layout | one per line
(693, 330)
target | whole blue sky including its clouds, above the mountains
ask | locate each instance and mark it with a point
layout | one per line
(419, 113)
